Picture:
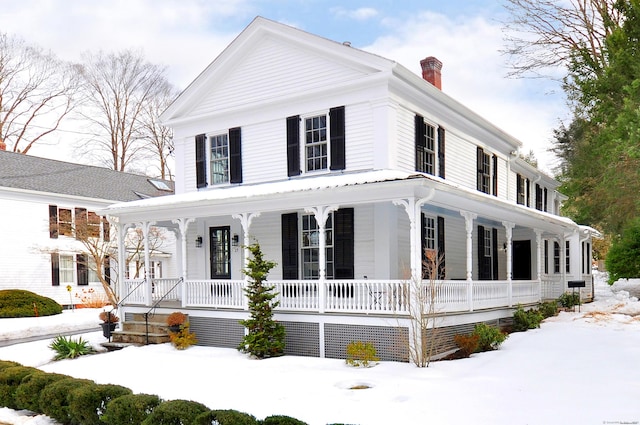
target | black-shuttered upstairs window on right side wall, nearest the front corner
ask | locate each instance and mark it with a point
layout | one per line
(429, 149)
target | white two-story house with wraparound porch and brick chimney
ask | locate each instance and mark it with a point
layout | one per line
(350, 171)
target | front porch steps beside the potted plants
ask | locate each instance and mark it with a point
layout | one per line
(134, 332)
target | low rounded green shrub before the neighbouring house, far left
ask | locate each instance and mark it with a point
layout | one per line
(21, 303)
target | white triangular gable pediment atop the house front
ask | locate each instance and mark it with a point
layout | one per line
(271, 62)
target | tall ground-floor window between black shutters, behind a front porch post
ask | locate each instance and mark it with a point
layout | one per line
(310, 247)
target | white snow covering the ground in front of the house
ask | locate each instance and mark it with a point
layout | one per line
(578, 368)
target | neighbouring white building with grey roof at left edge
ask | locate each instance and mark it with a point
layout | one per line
(42, 201)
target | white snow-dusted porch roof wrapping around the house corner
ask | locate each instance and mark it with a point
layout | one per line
(354, 188)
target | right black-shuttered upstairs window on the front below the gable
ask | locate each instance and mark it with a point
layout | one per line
(323, 139)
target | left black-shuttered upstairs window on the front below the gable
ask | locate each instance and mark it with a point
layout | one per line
(219, 158)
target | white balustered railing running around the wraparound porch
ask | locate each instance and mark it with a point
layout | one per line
(347, 296)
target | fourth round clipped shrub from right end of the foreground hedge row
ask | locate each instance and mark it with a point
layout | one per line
(130, 409)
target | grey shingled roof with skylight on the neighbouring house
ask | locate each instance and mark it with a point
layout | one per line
(26, 172)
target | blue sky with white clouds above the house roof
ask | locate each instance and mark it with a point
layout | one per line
(186, 35)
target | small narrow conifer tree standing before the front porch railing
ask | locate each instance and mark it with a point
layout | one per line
(265, 336)
